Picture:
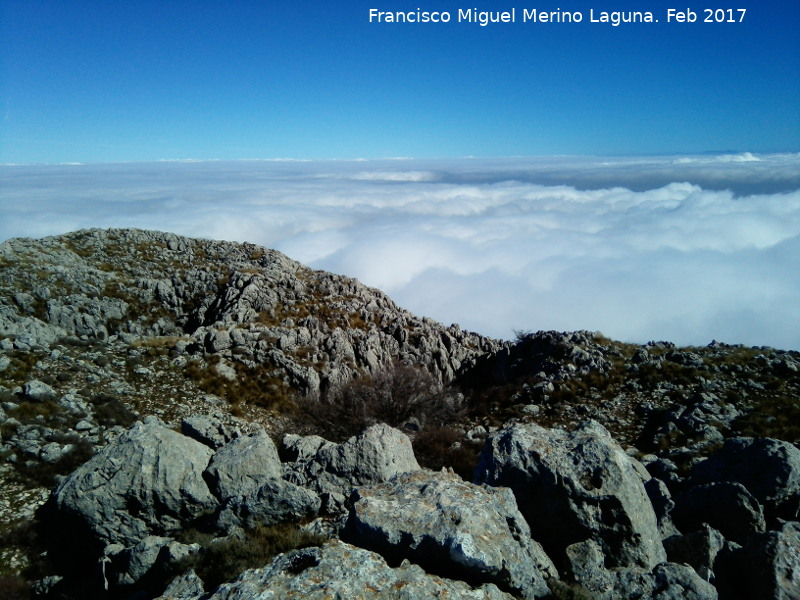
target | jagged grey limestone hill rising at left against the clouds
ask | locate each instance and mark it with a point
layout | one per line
(243, 303)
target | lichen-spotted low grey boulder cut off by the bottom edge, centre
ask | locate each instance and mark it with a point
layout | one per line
(338, 570)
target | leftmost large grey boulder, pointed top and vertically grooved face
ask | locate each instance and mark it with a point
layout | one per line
(148, 482)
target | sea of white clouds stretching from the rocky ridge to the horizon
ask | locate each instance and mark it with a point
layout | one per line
(680, 248)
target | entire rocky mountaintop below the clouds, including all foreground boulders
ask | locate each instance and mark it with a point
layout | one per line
(191, 419)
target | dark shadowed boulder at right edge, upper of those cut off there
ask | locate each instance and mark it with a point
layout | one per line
(768, 468)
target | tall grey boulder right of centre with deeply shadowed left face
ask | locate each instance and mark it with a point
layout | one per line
(575, 486)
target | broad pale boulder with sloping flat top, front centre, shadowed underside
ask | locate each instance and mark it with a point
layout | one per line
(451, 528)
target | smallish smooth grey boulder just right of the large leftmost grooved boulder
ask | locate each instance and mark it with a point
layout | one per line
(242, 466)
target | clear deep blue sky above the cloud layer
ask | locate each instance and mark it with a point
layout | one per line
(97, 81)
